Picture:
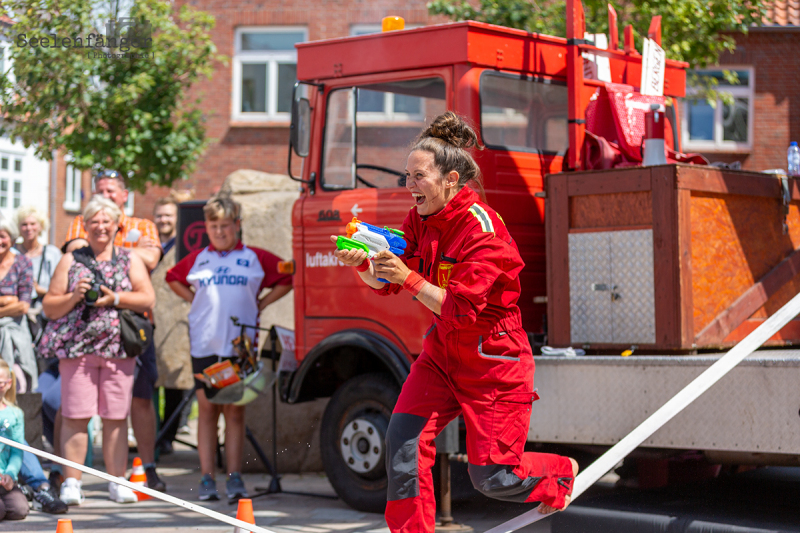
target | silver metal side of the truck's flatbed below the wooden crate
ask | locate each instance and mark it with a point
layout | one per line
(752, 416)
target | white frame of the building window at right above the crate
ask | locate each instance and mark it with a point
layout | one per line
(718, 144)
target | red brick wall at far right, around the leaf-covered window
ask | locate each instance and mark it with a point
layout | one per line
(773, 53)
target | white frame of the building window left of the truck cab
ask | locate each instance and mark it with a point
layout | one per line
(272, 59)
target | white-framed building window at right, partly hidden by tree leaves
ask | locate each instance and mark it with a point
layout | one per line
(726, 127)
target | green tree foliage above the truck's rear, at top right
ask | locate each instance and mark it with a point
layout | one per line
(695, 31)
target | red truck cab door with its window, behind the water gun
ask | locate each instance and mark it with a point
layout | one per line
(369, 124)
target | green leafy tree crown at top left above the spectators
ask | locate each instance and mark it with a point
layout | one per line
(126, 113)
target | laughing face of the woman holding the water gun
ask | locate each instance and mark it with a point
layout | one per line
(431, 190)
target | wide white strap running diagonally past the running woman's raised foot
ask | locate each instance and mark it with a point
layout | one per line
(690, 393)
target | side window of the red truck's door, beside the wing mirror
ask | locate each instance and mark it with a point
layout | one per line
(368, 130)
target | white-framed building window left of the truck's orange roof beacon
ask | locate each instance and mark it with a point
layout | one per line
(264, 72)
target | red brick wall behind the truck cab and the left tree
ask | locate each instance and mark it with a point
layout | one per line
(235, 146)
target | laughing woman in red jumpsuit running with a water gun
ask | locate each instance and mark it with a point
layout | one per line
(476, 359)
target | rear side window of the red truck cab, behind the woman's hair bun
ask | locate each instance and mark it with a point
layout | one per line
(527, 115)
